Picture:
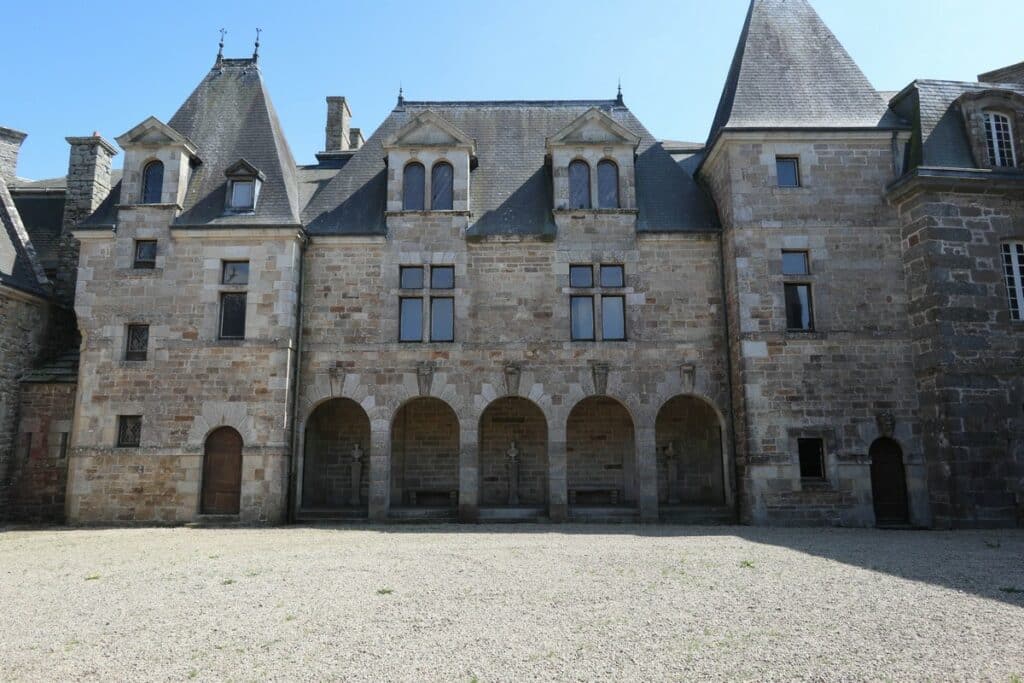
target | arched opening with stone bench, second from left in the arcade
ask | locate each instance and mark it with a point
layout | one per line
(425, 455)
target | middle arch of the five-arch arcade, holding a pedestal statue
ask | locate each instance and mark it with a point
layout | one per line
(514, 454)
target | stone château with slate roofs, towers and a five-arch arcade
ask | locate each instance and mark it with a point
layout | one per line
(492, 311)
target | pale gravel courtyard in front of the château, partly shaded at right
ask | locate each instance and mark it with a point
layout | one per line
(520, 603)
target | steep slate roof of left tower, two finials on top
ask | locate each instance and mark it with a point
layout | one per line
(230, 117)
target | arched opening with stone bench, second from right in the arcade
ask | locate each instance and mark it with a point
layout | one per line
(601, 454)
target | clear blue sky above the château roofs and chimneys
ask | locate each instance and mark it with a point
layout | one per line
(74, 68)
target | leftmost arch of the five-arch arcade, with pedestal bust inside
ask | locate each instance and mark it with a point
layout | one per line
(336, 457)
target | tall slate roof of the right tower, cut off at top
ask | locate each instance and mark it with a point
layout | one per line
(790, 71)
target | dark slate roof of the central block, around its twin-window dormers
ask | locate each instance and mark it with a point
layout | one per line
(511, 187)
